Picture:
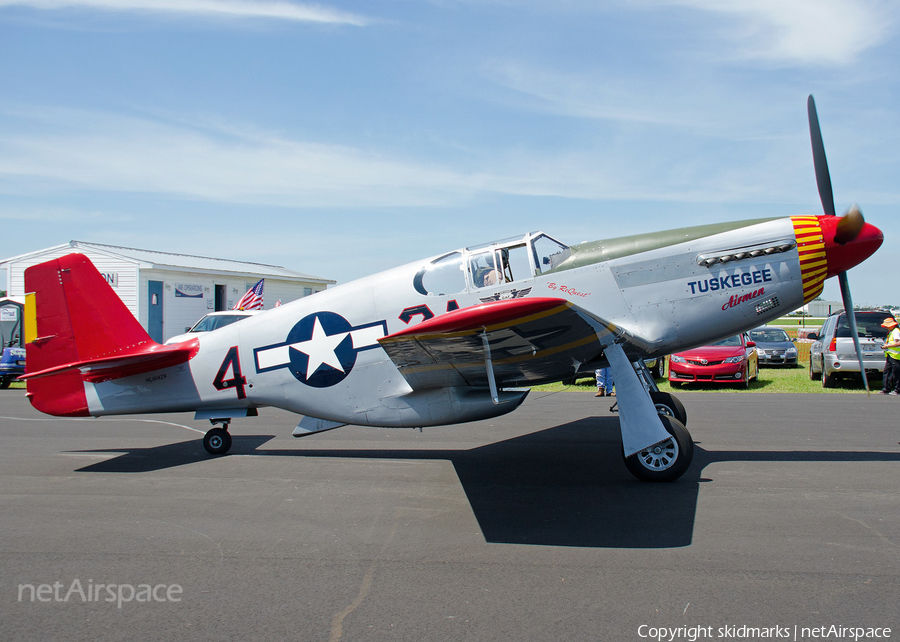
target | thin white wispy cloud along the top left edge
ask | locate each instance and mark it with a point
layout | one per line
(272, 9)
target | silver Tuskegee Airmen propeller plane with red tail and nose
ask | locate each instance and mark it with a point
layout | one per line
(452, 338)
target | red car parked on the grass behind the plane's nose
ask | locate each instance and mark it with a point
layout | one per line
(731, 360)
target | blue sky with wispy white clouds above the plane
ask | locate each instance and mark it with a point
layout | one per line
(343, 138)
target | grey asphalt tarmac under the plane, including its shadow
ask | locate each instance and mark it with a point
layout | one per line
(525, 527)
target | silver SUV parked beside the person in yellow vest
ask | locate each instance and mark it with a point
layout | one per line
(833, 354)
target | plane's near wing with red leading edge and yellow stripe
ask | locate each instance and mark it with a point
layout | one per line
(516, 341)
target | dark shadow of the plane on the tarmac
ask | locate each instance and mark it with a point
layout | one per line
(563, 486)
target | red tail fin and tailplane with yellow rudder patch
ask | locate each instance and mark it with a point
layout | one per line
(83, 332)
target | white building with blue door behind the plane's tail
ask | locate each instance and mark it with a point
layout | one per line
(168, 292)
